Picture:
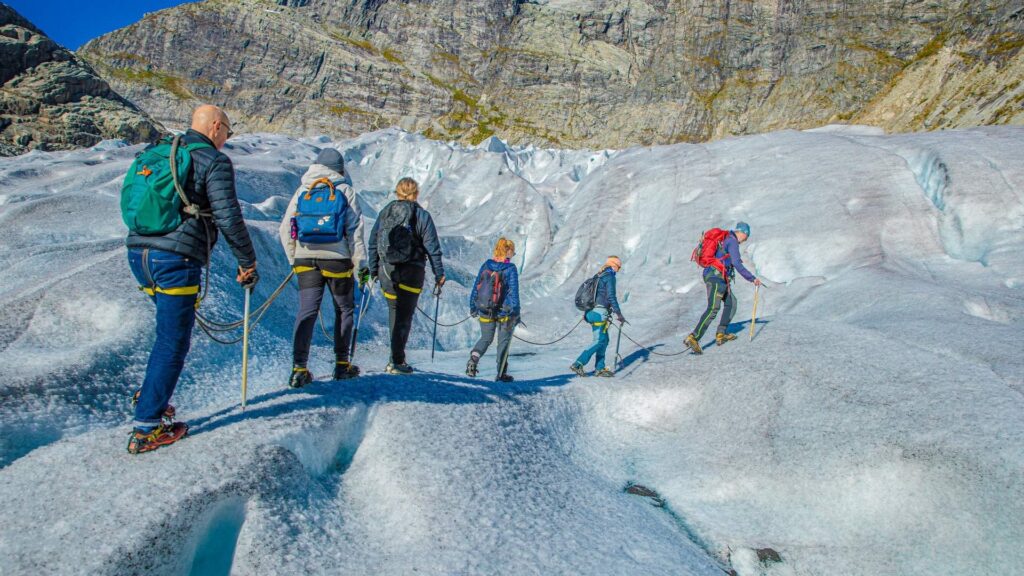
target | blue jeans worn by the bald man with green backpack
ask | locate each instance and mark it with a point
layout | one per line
(173, 283)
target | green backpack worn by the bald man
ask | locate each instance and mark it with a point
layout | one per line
(152, 198)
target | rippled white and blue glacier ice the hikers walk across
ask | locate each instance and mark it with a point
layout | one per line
(875, 425)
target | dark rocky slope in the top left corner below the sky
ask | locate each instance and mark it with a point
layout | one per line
(51, 100)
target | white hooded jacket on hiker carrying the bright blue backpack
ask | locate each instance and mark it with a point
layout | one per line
(352, 248)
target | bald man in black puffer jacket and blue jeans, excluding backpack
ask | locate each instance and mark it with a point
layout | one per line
(168, 268)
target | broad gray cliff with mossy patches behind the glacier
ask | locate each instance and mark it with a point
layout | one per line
(599, 73)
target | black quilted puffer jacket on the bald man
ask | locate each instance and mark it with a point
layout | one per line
(211, 187)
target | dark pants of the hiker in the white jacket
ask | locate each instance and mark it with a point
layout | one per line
(314, 276)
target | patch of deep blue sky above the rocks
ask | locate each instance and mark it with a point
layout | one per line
(73, 23)
